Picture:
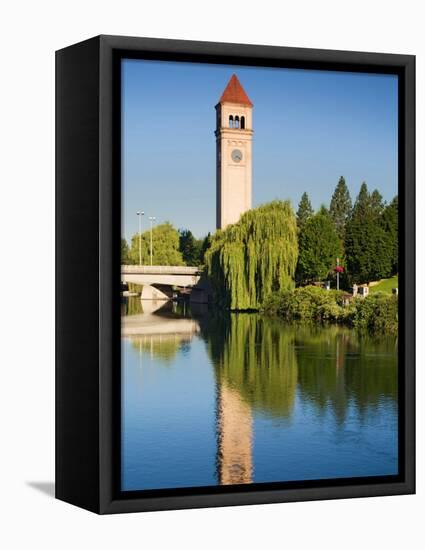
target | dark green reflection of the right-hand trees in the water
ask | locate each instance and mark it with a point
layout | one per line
(338, 368)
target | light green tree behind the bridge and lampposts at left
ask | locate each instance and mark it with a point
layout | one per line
(165, 246)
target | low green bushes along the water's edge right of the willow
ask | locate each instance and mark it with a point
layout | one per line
(378, 313)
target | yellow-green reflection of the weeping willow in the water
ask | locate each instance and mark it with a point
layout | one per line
(254, 356)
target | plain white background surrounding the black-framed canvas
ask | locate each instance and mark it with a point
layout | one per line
(30, 32)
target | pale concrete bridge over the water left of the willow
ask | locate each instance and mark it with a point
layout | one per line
(163, 275)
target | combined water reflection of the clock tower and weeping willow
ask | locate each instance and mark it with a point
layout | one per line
(255, 368)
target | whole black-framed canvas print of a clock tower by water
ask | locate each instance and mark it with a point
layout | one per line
(235, 274)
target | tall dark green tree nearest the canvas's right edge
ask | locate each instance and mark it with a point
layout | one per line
(367, 244)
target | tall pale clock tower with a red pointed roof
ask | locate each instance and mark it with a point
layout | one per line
(234, 154)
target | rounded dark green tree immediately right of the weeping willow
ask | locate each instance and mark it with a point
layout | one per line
(319, 246)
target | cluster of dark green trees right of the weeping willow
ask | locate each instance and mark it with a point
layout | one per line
(364, 236)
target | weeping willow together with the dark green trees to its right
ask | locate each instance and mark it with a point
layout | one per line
(272, 249)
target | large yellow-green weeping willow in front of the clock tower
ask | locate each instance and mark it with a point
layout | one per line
(254, 257)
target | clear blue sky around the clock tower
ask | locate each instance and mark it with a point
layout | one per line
(310, 127)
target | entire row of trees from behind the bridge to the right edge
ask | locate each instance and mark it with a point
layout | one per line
(363, 236)
